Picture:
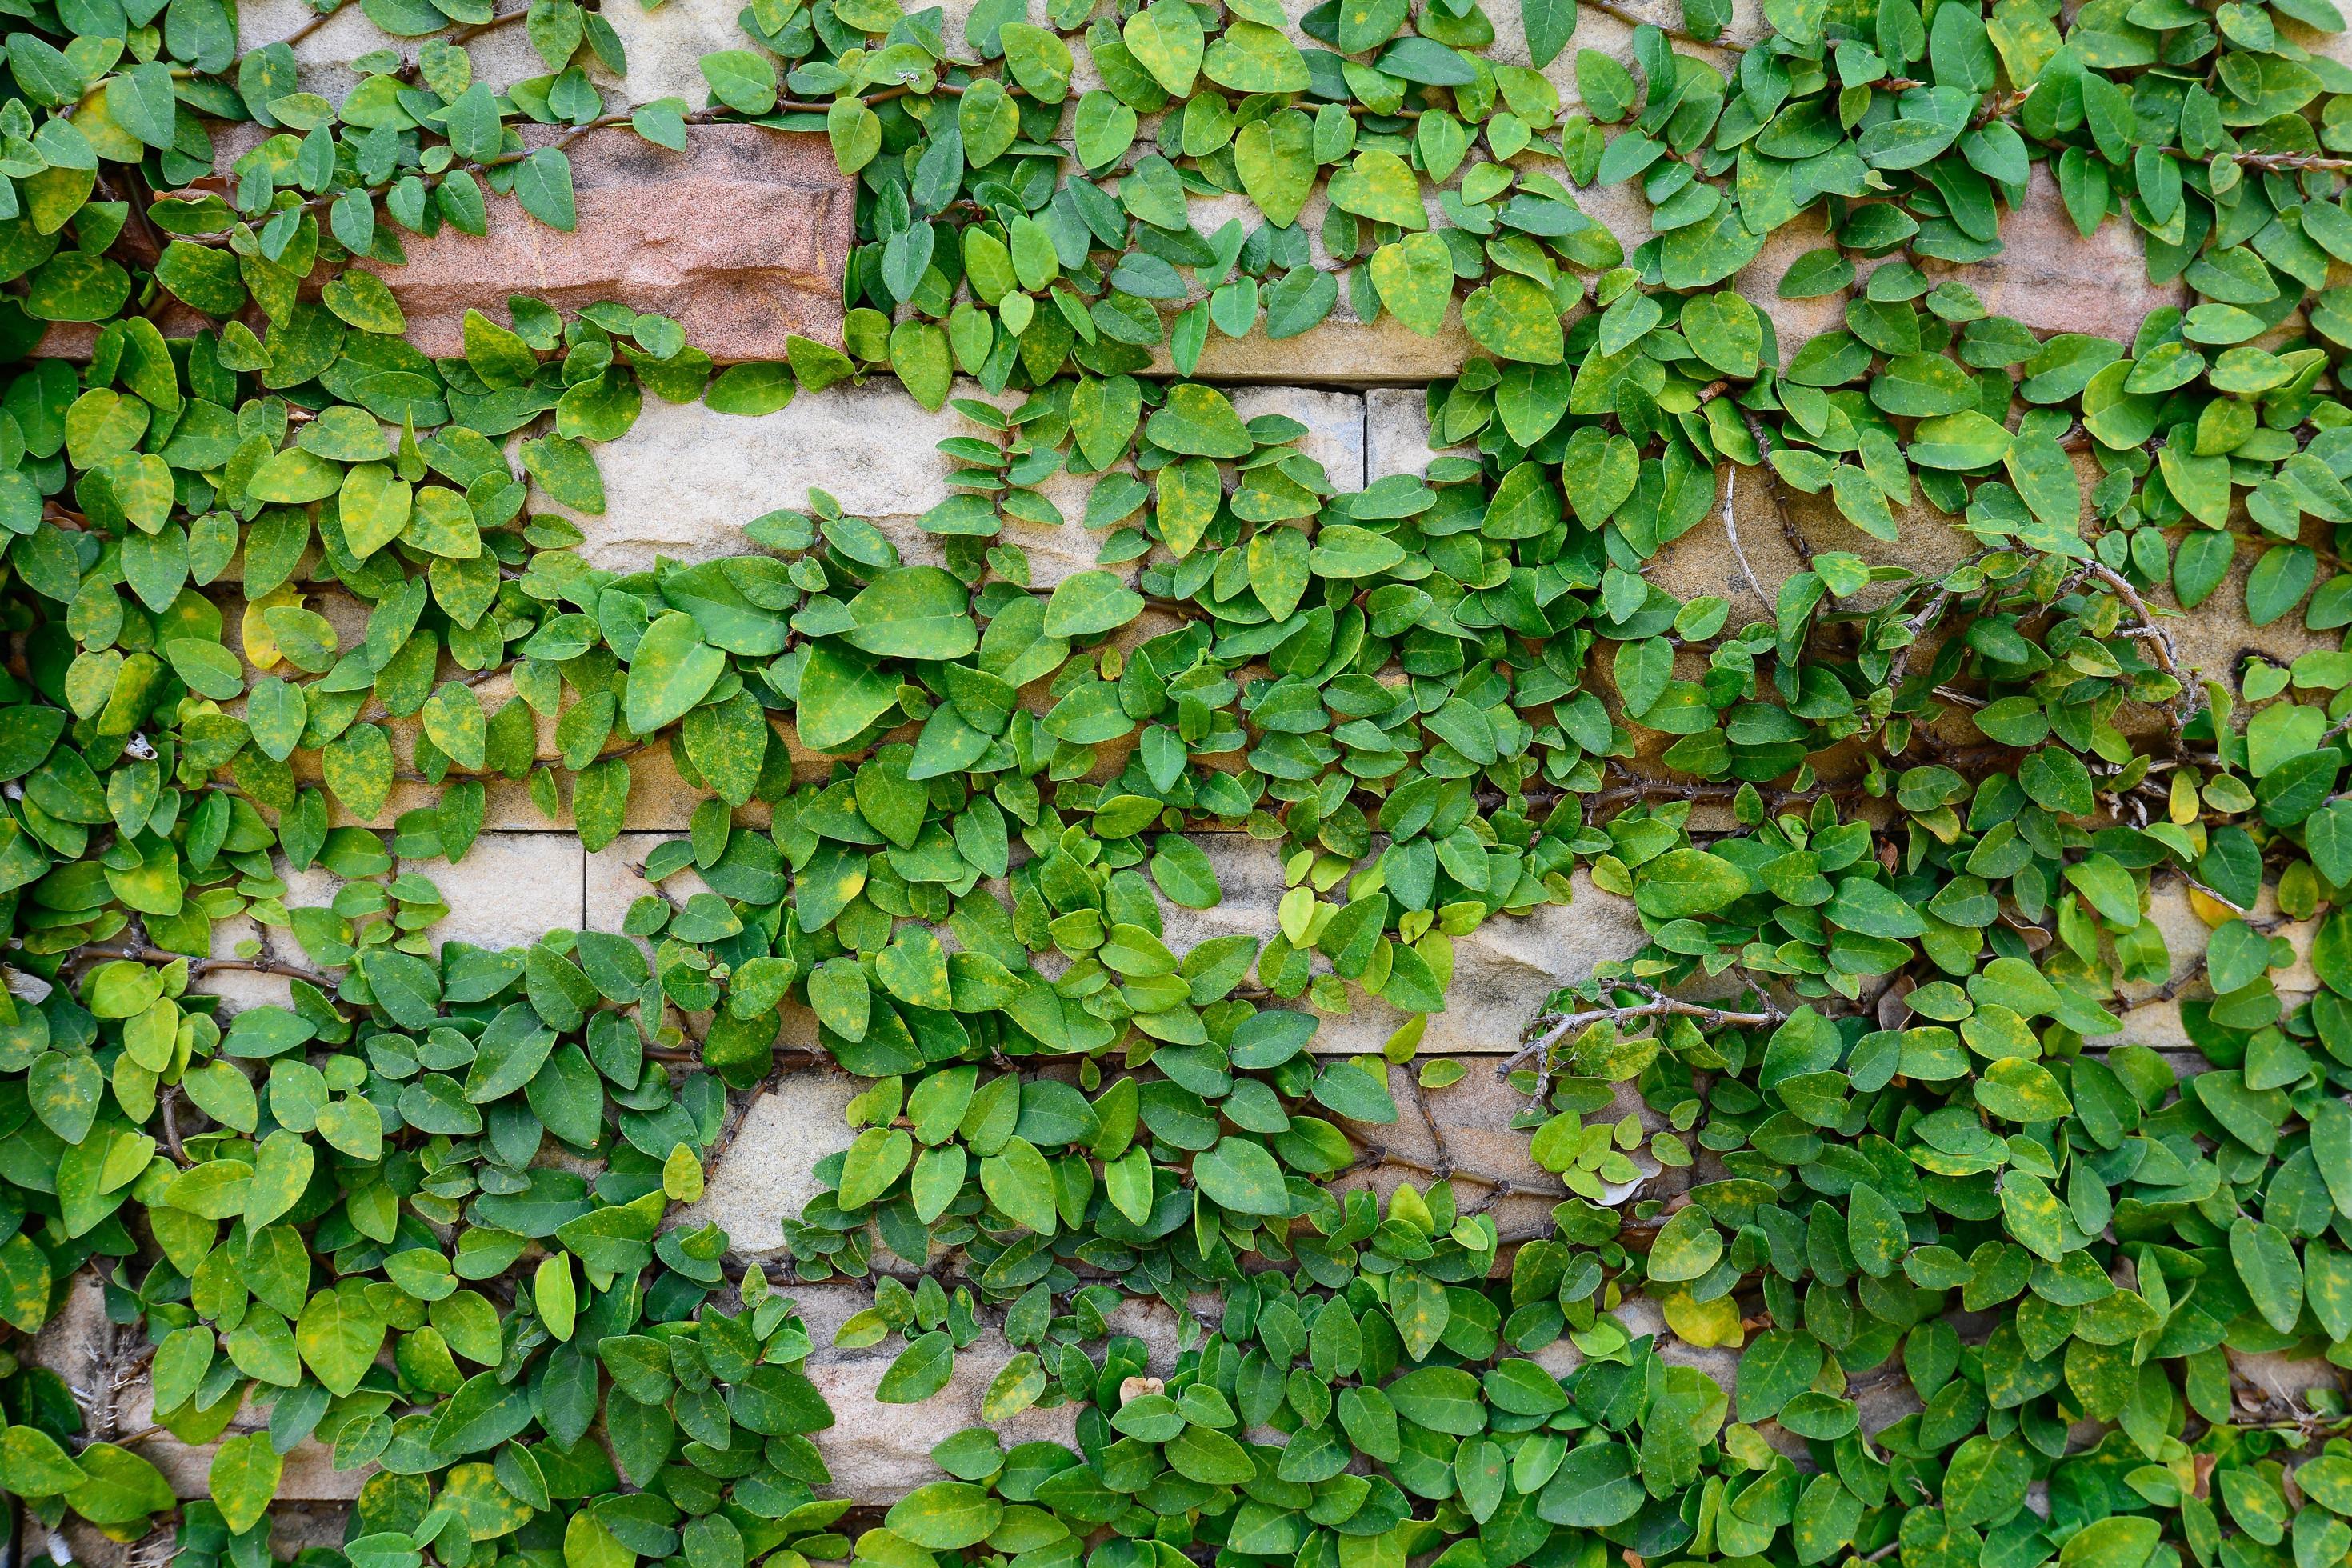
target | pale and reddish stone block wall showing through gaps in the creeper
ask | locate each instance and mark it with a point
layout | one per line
(742, 241)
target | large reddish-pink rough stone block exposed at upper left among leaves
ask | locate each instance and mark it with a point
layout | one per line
(742, 239)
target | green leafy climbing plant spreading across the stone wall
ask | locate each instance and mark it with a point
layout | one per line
(1897, 845)
